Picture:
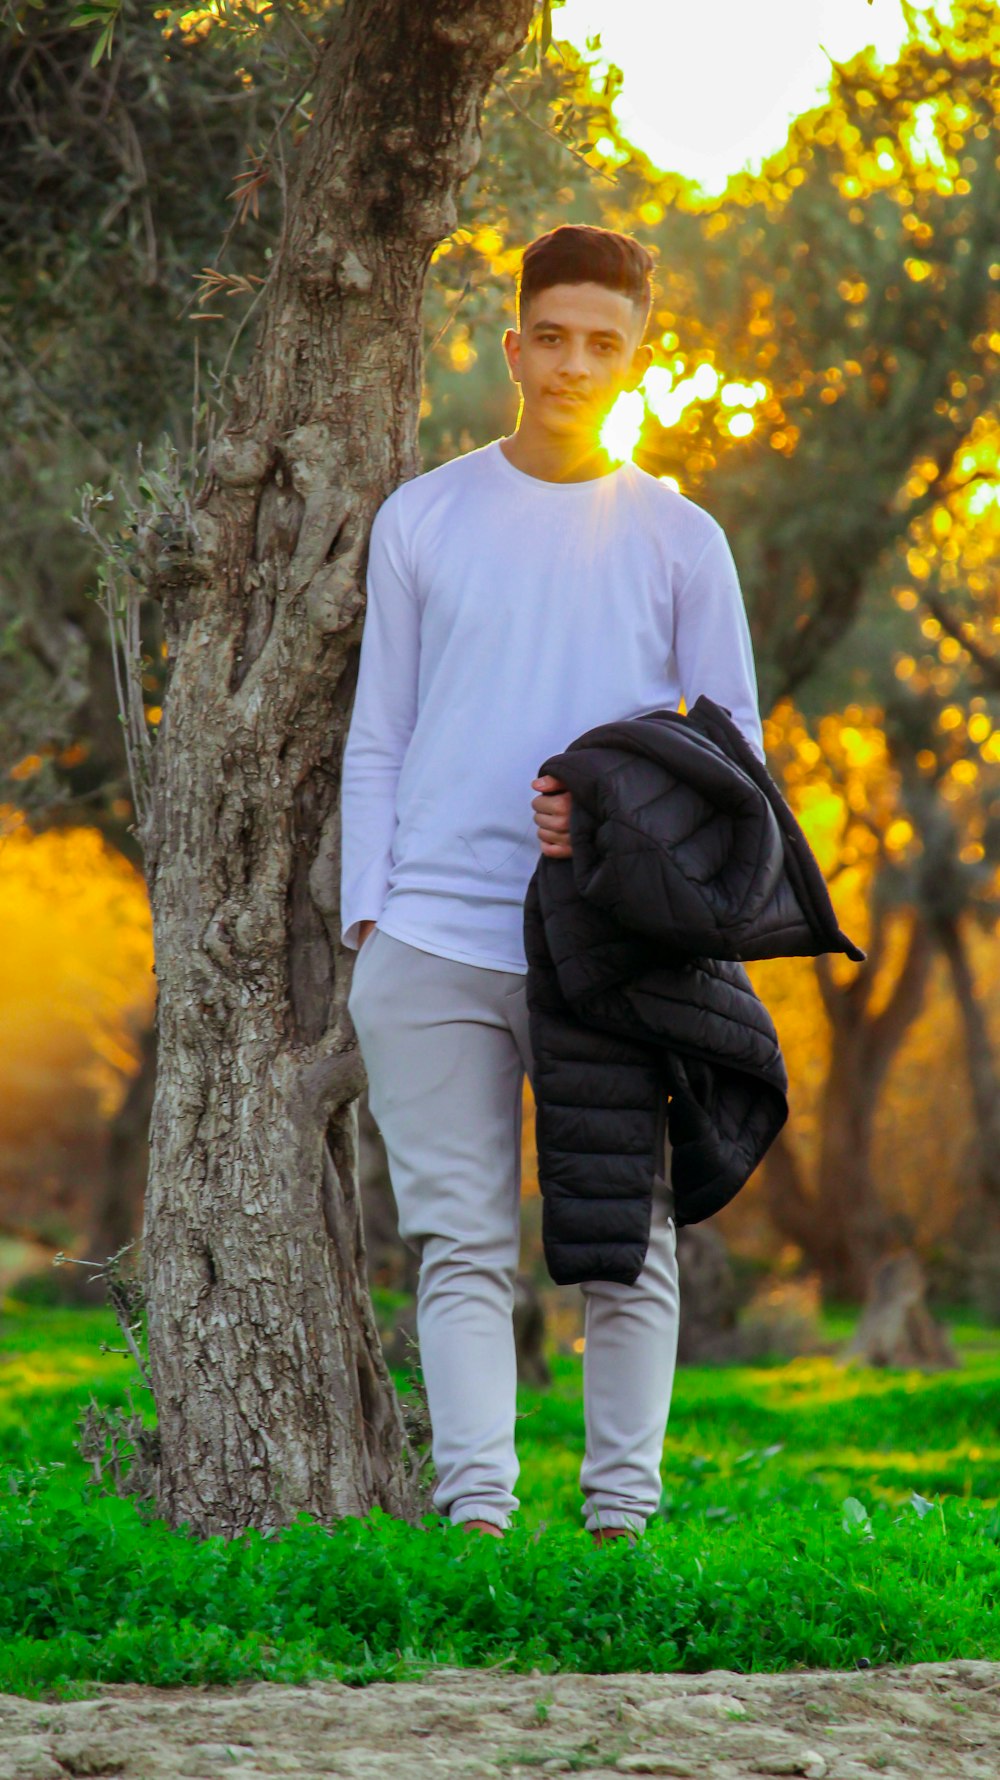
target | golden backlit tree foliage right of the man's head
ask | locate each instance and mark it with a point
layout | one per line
(853, 279)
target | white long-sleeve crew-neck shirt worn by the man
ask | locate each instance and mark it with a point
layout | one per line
(506, 615)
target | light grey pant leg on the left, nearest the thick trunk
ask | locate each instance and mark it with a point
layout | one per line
(446, 1085)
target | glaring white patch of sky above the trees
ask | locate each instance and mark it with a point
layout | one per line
(711, 86)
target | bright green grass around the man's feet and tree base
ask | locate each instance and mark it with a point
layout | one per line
(752, 1564)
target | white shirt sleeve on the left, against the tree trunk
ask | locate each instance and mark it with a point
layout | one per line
(382, 724)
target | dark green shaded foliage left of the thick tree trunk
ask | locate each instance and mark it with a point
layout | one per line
(115, 197)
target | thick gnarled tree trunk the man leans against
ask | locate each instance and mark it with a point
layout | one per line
(271, 1389)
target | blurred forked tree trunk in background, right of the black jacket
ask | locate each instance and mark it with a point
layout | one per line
(844, 1227)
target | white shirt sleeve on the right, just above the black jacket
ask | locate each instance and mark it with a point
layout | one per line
(713, 642)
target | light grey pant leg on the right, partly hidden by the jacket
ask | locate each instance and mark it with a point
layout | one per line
(631, 1341)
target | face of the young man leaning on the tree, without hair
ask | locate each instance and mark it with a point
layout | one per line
(576, 353)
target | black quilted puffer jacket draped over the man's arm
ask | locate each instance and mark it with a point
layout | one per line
(643, 1021)
